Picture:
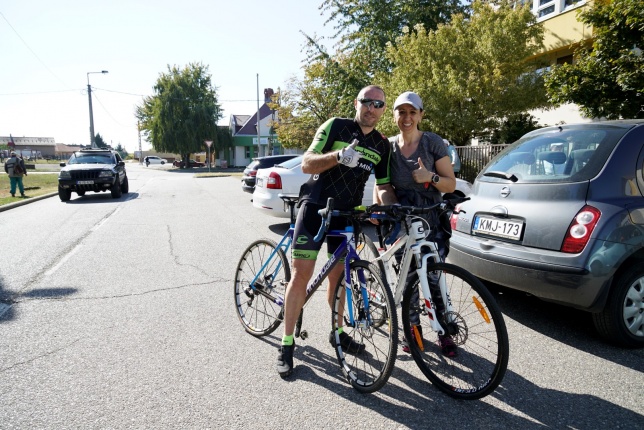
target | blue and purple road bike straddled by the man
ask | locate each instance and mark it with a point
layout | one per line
(263, 273)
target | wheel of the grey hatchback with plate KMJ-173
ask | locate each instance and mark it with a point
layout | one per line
(622, 320)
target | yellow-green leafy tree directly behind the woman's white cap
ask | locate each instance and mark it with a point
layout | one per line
(471, 73)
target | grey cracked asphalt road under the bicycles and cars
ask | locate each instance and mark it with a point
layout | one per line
(119, 314)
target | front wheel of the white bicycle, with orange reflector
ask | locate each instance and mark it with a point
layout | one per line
(479, 332)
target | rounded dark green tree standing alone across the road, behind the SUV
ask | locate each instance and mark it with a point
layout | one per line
(182, 113)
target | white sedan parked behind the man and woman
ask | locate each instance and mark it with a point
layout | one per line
(286, 178)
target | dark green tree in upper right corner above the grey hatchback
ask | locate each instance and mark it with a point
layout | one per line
(607, 79)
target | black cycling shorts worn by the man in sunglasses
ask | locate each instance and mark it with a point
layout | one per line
(307, 226)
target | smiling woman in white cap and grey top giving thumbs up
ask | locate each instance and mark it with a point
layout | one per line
(420, 171)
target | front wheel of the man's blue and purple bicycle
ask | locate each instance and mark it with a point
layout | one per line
(369, 370)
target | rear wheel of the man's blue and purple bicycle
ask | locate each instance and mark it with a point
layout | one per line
(259, 310)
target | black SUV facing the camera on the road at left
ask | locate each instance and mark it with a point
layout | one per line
(92, 170)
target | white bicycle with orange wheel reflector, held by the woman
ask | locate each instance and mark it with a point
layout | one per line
(450, 301)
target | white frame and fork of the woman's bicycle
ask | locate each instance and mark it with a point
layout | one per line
(413, 243)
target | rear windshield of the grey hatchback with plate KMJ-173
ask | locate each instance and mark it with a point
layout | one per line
(561, 154)
